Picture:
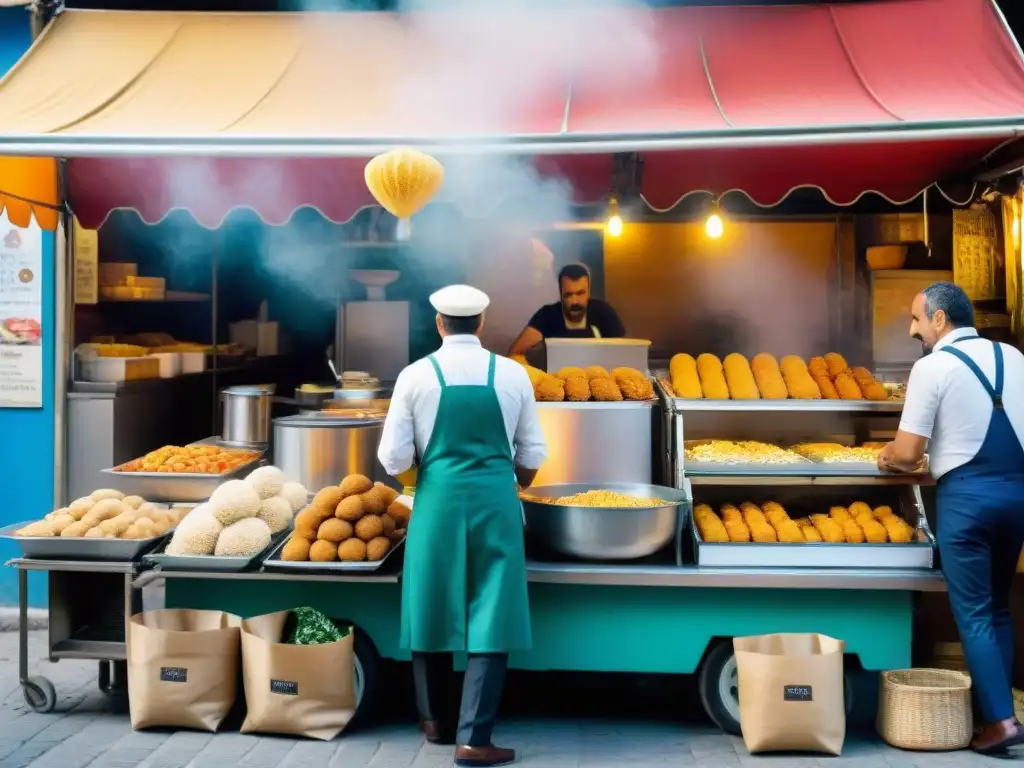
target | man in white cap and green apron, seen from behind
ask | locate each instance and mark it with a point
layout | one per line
(467, 419)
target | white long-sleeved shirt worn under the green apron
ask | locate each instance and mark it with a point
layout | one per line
(417, 394)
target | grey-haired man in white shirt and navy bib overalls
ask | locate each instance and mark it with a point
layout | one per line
(965, 405)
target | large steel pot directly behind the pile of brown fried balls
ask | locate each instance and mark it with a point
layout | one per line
(319, 450)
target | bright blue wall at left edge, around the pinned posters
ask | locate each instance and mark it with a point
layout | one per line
(27, 436)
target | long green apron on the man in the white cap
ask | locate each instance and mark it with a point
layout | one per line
(464, 583)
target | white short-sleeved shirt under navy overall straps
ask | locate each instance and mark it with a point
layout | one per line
(947, 404)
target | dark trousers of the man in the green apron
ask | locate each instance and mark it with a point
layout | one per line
(482, 694)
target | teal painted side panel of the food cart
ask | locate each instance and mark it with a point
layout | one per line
(595, 628)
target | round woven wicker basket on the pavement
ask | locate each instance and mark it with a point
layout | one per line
(927, 710)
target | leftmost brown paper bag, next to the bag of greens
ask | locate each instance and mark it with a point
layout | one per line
(183, 668)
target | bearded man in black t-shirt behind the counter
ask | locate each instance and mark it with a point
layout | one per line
(576, 317)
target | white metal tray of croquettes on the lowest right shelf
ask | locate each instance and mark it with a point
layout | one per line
(753, 556)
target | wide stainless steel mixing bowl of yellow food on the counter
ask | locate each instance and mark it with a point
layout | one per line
(605, 533)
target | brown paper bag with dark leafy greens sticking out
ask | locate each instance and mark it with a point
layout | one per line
(302, 691)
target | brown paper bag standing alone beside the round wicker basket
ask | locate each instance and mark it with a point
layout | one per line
(791, 693)
